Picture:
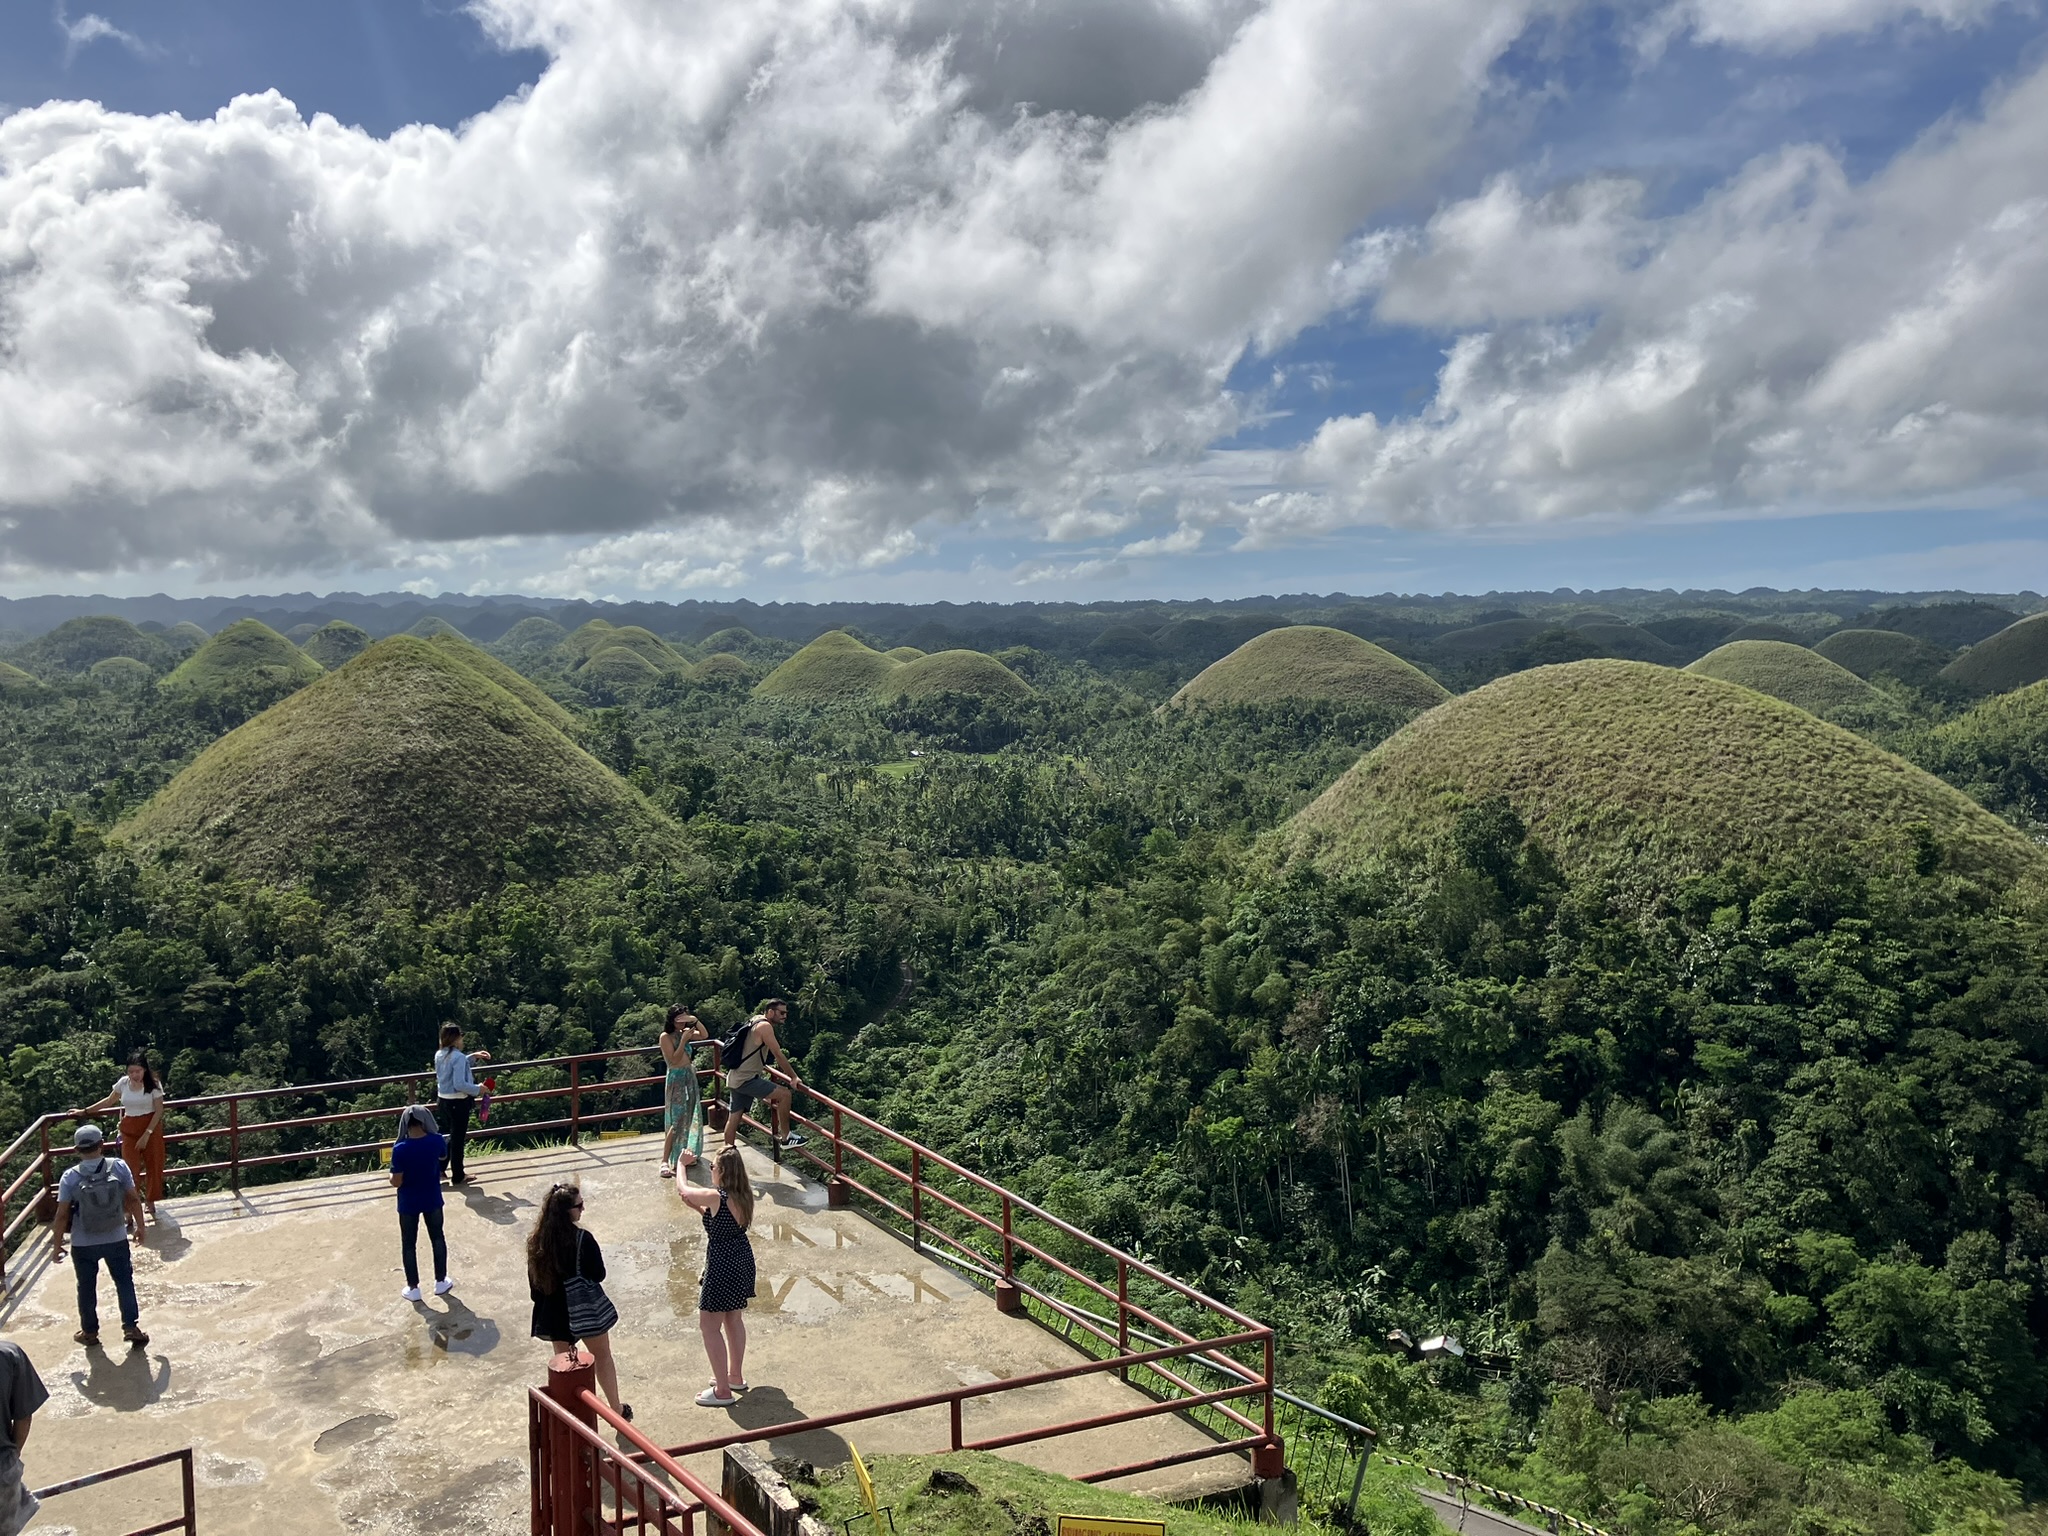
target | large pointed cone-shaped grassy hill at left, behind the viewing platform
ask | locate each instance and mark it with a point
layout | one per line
(404, 769)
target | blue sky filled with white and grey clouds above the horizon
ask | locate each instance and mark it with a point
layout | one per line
(1017, 300)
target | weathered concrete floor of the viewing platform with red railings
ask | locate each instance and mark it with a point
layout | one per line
(321, 1402)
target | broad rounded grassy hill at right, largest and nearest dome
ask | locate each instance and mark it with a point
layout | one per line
(1672, 771)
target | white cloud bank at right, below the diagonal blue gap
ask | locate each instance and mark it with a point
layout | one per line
(1797, 341)
